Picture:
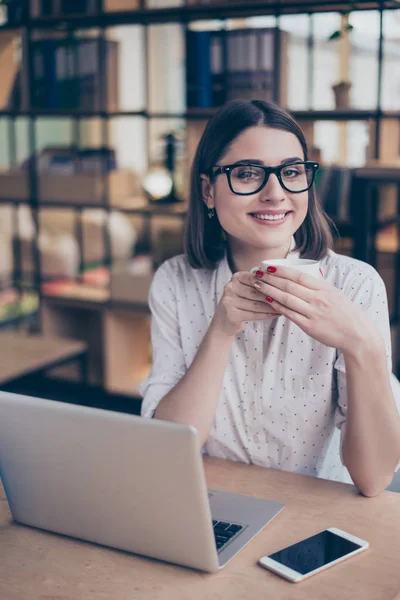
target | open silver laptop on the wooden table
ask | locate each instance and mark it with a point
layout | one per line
(122, 481)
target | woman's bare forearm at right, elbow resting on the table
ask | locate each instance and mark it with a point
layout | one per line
(371, 444)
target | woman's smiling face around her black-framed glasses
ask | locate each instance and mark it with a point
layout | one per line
(247, 220)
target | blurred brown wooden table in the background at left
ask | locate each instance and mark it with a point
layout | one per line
(22, 354)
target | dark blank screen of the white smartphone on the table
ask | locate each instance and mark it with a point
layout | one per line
(314, 552)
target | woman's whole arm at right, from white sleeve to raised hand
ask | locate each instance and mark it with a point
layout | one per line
(371, 435)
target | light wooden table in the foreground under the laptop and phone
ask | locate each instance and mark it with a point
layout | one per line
(36, 565)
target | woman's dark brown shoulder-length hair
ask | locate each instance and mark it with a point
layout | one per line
(205, 240)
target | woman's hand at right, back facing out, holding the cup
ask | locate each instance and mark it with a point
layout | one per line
(317, 307)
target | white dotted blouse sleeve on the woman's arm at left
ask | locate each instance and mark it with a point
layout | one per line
(168, 359)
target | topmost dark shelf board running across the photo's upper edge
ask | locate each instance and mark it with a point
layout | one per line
(220, 10)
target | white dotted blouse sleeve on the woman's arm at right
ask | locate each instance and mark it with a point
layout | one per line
(370, 294)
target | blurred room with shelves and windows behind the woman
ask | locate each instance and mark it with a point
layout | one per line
(102, 104)
